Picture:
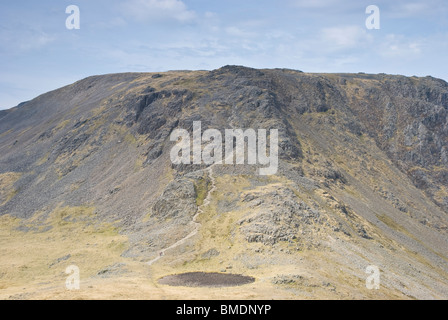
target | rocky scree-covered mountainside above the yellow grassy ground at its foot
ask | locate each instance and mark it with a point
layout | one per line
(363, 166)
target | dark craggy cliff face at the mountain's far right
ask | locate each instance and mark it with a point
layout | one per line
(408, 119)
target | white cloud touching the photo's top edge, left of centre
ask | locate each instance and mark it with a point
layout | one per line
(158, 10)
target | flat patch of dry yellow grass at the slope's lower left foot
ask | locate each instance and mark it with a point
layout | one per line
(30, 258)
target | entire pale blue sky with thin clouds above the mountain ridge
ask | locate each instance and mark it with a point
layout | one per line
(38, 53)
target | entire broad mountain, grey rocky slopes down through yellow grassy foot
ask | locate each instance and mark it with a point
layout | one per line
(86, 179)
